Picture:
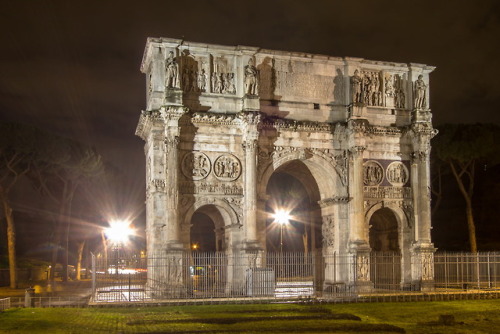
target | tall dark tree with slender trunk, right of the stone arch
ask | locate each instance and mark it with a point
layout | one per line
(464, 147)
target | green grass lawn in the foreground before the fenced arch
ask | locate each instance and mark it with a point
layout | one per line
(474, 316)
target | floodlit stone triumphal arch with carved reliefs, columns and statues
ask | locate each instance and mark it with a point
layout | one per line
(220, 121)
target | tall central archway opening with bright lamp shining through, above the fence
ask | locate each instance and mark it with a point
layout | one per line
(293, 190)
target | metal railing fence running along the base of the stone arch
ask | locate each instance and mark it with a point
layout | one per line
(193, 275)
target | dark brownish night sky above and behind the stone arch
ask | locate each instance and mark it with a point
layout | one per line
(72, 67)
